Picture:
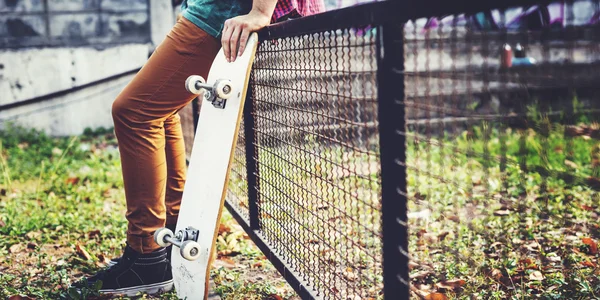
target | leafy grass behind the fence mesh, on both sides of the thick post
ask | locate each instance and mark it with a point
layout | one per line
(495, 213)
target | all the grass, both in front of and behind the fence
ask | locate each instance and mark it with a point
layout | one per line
(495, 213)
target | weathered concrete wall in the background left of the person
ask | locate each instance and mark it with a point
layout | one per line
(78, 47)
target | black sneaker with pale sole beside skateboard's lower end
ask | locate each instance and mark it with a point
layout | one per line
(134, 273)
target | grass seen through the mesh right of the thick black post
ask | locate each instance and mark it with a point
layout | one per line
(526, 230)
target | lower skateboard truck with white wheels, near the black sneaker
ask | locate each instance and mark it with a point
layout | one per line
(186, 239)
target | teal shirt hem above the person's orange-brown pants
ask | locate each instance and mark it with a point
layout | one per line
(210, 15)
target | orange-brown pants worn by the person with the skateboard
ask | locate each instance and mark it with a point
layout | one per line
(148, 130)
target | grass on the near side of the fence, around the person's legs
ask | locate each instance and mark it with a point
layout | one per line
(62, 211)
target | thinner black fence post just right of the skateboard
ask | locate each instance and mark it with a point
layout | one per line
(251, 155)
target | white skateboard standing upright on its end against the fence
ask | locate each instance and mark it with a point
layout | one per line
(208, 171)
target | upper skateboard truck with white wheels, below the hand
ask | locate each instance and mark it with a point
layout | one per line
(217, 94)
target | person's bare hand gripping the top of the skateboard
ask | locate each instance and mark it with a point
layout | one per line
(239, 29)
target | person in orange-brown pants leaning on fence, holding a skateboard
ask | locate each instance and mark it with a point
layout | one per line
(149, 135)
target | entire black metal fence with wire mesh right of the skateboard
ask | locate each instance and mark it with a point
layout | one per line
(433, 151)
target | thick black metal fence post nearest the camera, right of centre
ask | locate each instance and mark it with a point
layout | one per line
(390, 76)
